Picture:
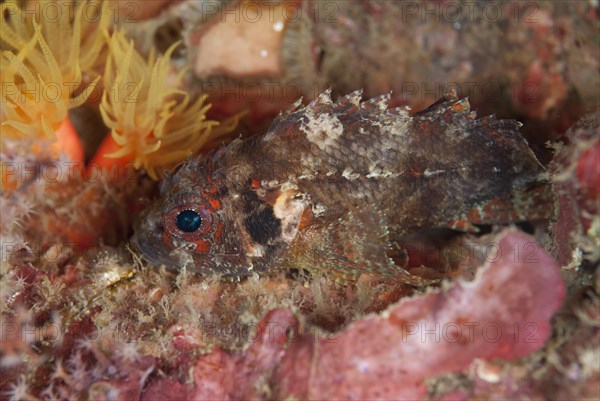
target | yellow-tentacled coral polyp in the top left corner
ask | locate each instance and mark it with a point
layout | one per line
(43, 64)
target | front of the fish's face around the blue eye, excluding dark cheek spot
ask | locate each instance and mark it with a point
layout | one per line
(187, 226)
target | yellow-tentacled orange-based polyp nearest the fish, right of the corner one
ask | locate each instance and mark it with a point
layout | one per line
(154, 123)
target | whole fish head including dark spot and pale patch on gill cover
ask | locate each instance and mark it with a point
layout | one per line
(215, 218)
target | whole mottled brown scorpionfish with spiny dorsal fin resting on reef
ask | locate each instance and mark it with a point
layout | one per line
(333, 187)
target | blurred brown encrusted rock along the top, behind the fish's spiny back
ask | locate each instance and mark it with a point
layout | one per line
(532, 60)
